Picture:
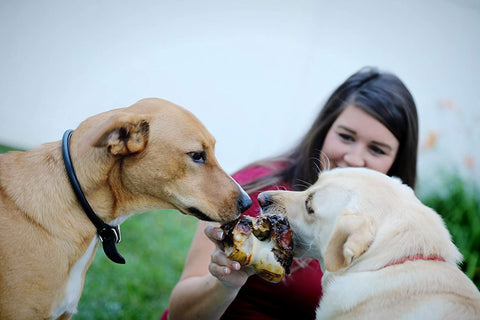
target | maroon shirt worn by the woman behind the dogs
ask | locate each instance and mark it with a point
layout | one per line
(295, 297)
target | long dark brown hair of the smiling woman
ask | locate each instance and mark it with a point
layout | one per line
(383, 96)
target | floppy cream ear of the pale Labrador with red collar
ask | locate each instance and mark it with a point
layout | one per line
(351, 237)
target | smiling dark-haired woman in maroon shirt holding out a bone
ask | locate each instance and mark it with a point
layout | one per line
(371, 121)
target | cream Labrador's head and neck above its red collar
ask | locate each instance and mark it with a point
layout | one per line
(357, 216)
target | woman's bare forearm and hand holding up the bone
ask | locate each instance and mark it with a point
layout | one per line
(209, 281)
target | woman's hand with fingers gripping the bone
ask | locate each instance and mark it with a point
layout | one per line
(229, 272)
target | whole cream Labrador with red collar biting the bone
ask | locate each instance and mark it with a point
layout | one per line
(385, 255)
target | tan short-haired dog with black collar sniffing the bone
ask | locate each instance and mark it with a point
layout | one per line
(151, 155)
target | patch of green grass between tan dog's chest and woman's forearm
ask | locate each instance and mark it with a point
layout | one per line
(154, 245)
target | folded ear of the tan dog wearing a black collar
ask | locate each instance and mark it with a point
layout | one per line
(122, 134)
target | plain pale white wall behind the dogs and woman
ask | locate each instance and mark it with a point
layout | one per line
(255, 71)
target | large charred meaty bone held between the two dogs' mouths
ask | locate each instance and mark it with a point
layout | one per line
(265, 243)
